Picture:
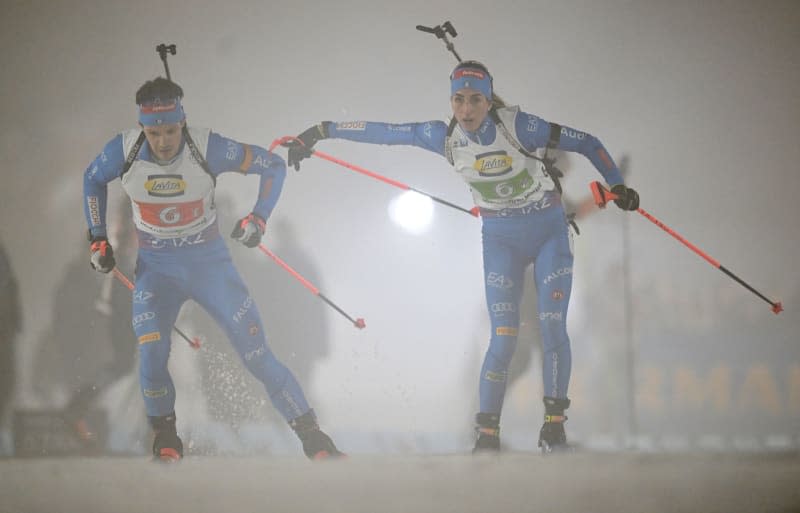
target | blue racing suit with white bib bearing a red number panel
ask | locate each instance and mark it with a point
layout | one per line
(192, 260)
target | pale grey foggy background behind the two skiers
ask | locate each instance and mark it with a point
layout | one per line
(702, 97)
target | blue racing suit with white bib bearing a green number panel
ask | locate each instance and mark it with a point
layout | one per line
(523, 223)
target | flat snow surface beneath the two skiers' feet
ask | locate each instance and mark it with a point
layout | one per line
(514, 482)
